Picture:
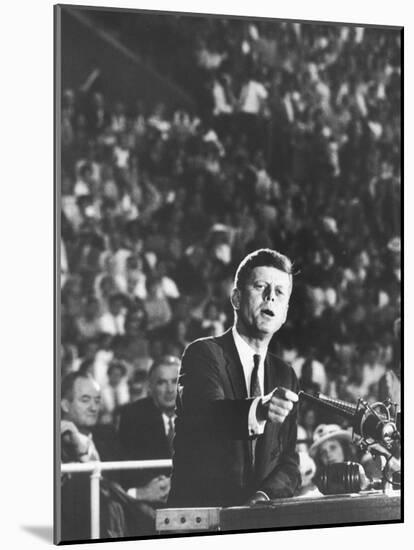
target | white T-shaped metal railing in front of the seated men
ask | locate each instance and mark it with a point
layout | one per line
(96, 467)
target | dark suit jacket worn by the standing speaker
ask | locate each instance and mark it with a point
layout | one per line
(212, 463)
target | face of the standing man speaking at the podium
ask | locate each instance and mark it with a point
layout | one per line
(262, 304)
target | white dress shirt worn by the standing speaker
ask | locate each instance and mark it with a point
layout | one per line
(246, 354)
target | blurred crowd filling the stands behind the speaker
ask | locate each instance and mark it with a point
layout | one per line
(295, 145)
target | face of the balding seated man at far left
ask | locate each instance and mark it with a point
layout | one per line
(83, 409)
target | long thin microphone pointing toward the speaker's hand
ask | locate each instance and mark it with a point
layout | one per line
(368, 421)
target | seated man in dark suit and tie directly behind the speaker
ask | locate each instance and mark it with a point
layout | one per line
(146, 430)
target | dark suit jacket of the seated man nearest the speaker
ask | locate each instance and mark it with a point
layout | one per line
(142, 436)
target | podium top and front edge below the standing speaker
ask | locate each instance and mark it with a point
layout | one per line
(370, 507)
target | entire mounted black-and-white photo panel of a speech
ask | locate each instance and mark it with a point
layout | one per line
(228, 322)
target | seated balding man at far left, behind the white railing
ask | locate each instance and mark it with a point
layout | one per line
(82, 440)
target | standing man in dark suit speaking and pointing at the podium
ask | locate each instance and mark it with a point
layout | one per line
(237, 403)
